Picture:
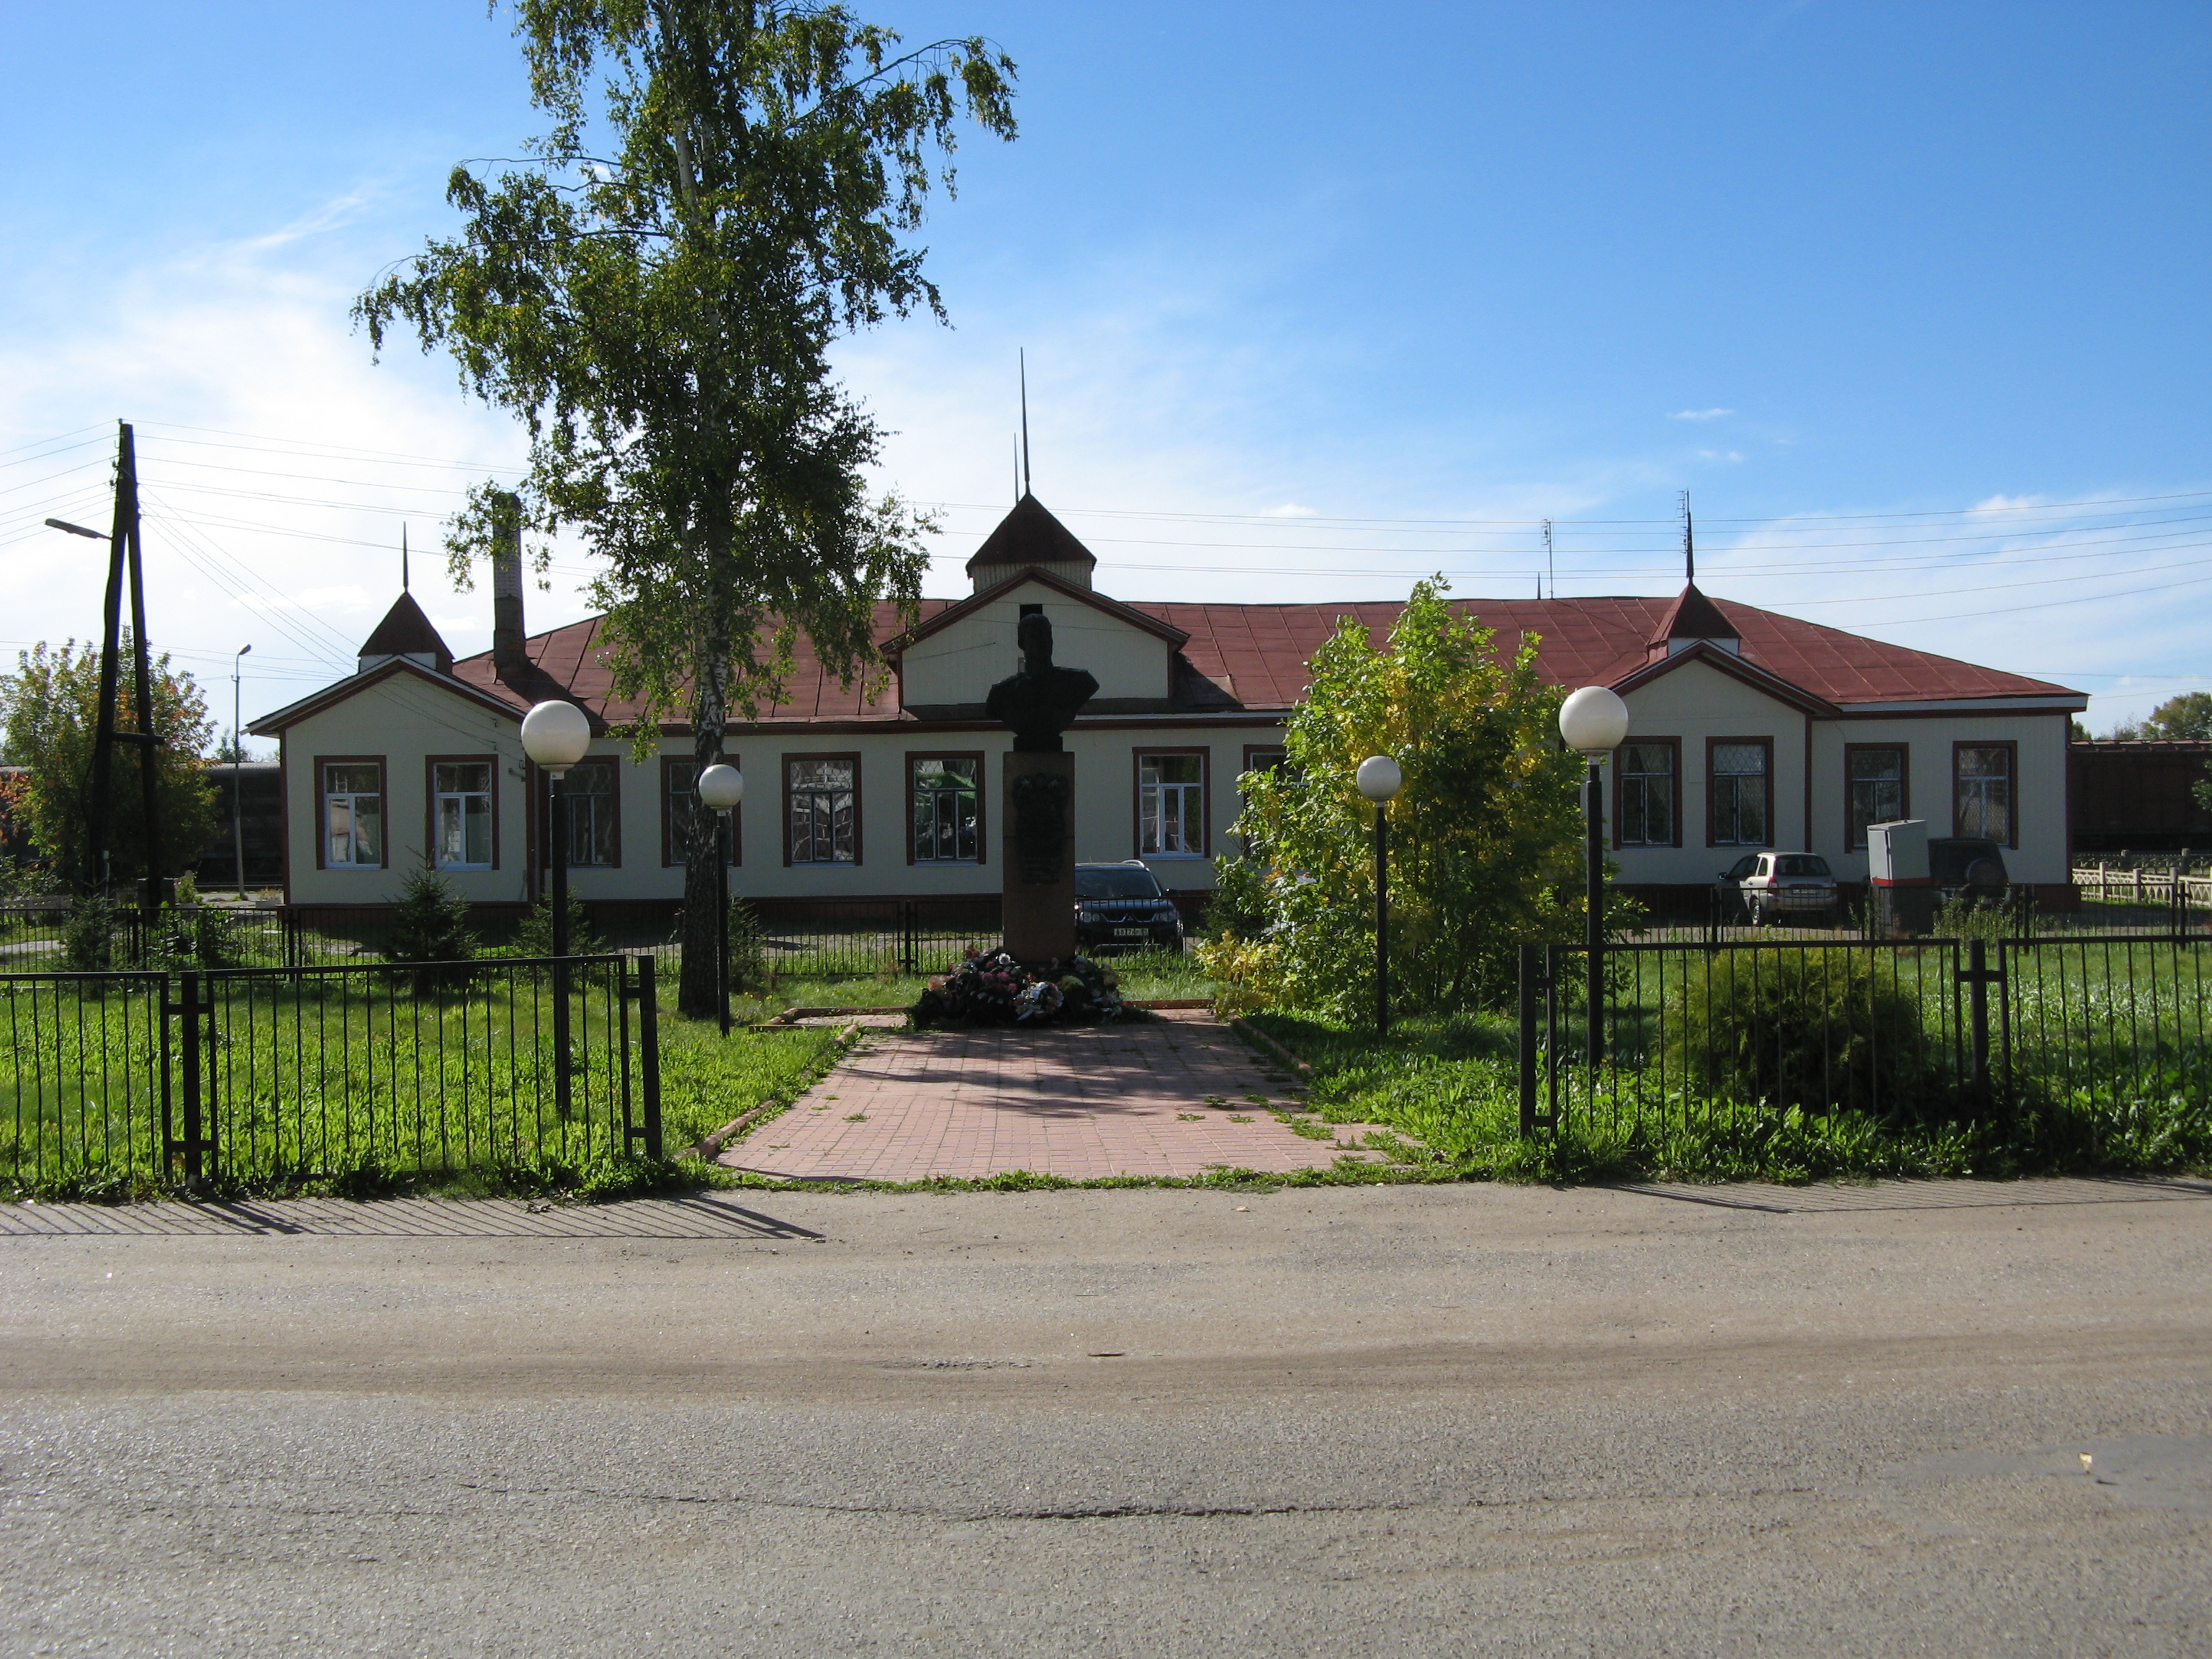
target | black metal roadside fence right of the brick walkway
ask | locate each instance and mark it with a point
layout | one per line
(1939, 1027)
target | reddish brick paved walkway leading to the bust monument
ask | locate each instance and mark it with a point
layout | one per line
(1147, 1098)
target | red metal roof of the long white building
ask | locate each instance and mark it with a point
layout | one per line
(1260, 654)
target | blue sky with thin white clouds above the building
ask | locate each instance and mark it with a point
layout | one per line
(1908, 298)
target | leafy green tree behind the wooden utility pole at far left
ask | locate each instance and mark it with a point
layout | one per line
(52, 711)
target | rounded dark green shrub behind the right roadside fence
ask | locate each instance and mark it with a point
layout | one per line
(1813, 1030)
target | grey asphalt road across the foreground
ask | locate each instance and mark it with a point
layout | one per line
(1125, 1423)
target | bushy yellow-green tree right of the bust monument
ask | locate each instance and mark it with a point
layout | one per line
(1483, 835)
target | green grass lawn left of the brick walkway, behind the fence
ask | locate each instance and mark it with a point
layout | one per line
(331, 1089)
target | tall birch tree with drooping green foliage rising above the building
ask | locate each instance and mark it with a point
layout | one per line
(727, 189)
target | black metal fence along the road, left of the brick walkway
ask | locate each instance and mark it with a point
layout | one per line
(317, 1072)
